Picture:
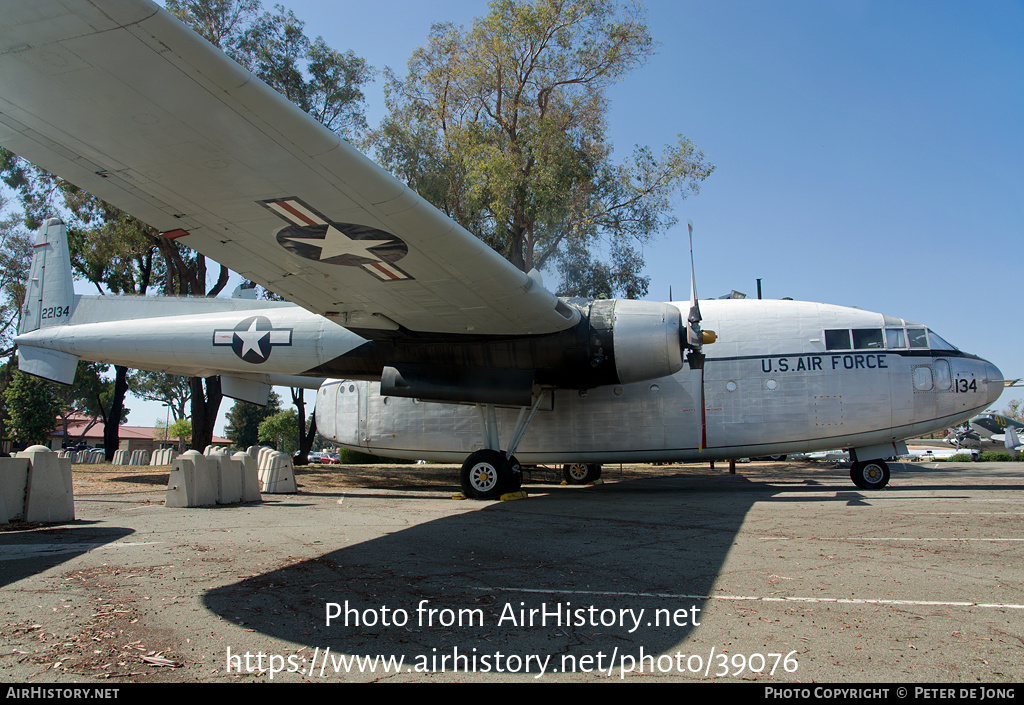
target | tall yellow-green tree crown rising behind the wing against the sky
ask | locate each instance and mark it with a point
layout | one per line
(503, 127)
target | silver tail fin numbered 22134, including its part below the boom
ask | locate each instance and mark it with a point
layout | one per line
(50, 301)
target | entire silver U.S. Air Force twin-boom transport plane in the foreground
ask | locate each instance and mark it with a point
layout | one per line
(435, 347)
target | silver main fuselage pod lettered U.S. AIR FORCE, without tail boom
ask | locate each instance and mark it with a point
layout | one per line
(776, 383)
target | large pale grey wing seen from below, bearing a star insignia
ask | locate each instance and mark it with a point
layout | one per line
(123, 101)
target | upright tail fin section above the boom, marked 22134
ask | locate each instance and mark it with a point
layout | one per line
(50, 294)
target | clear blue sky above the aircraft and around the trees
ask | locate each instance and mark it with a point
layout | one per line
(868, 153)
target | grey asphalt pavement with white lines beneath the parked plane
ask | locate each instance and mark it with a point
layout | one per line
(783, 573)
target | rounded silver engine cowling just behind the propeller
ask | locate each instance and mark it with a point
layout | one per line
(646, 338)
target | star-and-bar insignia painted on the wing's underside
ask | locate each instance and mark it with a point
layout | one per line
(313, 236)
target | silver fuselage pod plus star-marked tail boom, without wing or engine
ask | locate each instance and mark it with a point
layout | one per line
(784, 378)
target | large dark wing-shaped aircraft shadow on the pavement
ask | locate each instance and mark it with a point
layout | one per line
(470, 582)
